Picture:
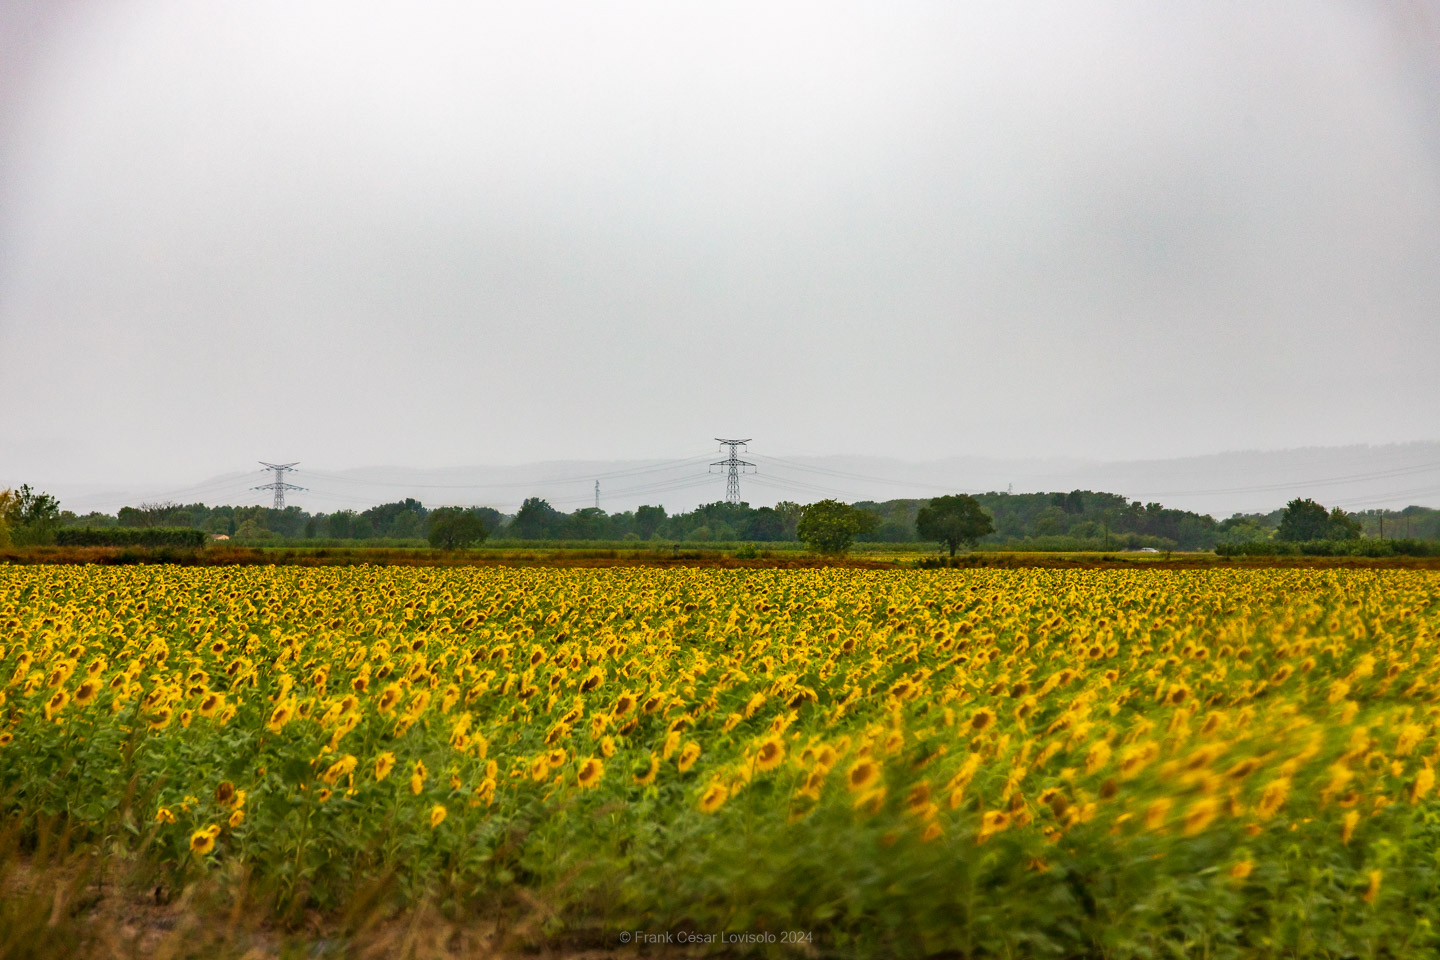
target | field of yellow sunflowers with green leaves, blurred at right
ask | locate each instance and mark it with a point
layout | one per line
(981, 764)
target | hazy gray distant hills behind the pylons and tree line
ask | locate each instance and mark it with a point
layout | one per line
(1219, 484)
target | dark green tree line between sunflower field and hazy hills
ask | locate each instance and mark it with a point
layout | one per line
(1076, 520)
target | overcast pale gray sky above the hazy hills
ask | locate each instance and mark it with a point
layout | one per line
(443, 234)
